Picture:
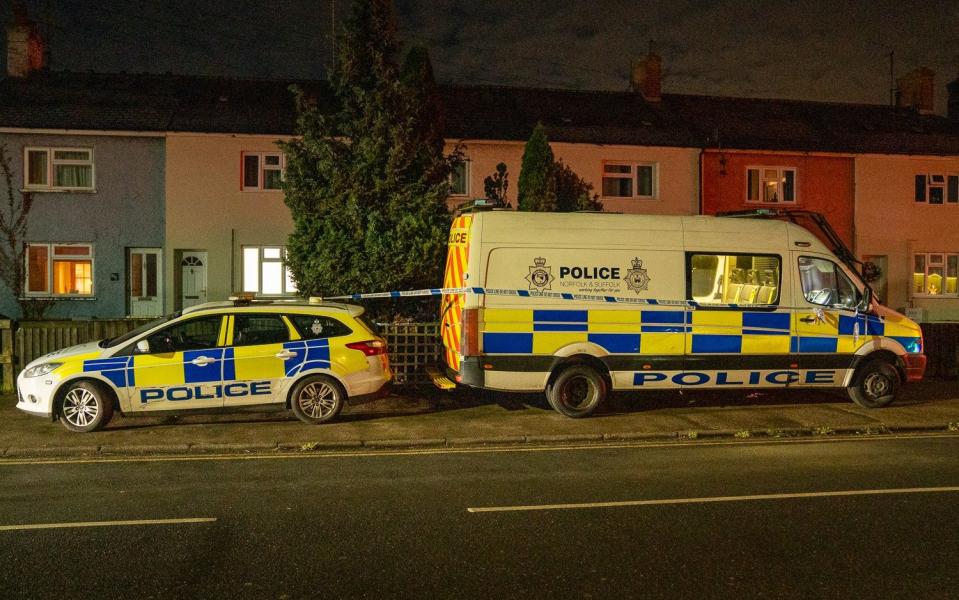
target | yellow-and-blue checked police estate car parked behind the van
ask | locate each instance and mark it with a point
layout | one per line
(310, 358)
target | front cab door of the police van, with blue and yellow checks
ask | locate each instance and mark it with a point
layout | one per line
(828, 328)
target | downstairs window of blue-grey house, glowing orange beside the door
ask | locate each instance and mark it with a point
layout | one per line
(59, 270)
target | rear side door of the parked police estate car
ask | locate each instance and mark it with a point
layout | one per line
(259, 359)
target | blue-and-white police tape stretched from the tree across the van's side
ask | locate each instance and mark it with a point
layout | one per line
(544, 295)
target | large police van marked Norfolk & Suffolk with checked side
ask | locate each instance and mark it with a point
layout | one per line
(578, 304)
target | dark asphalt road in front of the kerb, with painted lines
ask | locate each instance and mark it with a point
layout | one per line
(400, 525)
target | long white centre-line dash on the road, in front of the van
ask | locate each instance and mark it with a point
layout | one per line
(707, 500)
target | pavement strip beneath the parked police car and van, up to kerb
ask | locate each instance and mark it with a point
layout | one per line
(416, 418)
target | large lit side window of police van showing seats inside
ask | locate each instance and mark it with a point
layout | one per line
(741, 279)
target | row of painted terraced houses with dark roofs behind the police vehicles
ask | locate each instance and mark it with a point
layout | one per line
(174, 190)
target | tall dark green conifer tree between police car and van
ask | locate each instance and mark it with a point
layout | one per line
(367, 180)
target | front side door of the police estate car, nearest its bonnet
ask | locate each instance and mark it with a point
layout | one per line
(183, 368)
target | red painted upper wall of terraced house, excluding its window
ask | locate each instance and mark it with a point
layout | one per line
(824, 184)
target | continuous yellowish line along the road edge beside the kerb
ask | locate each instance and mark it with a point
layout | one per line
(372, 452)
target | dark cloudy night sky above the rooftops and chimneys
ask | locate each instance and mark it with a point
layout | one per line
(830, 50)
